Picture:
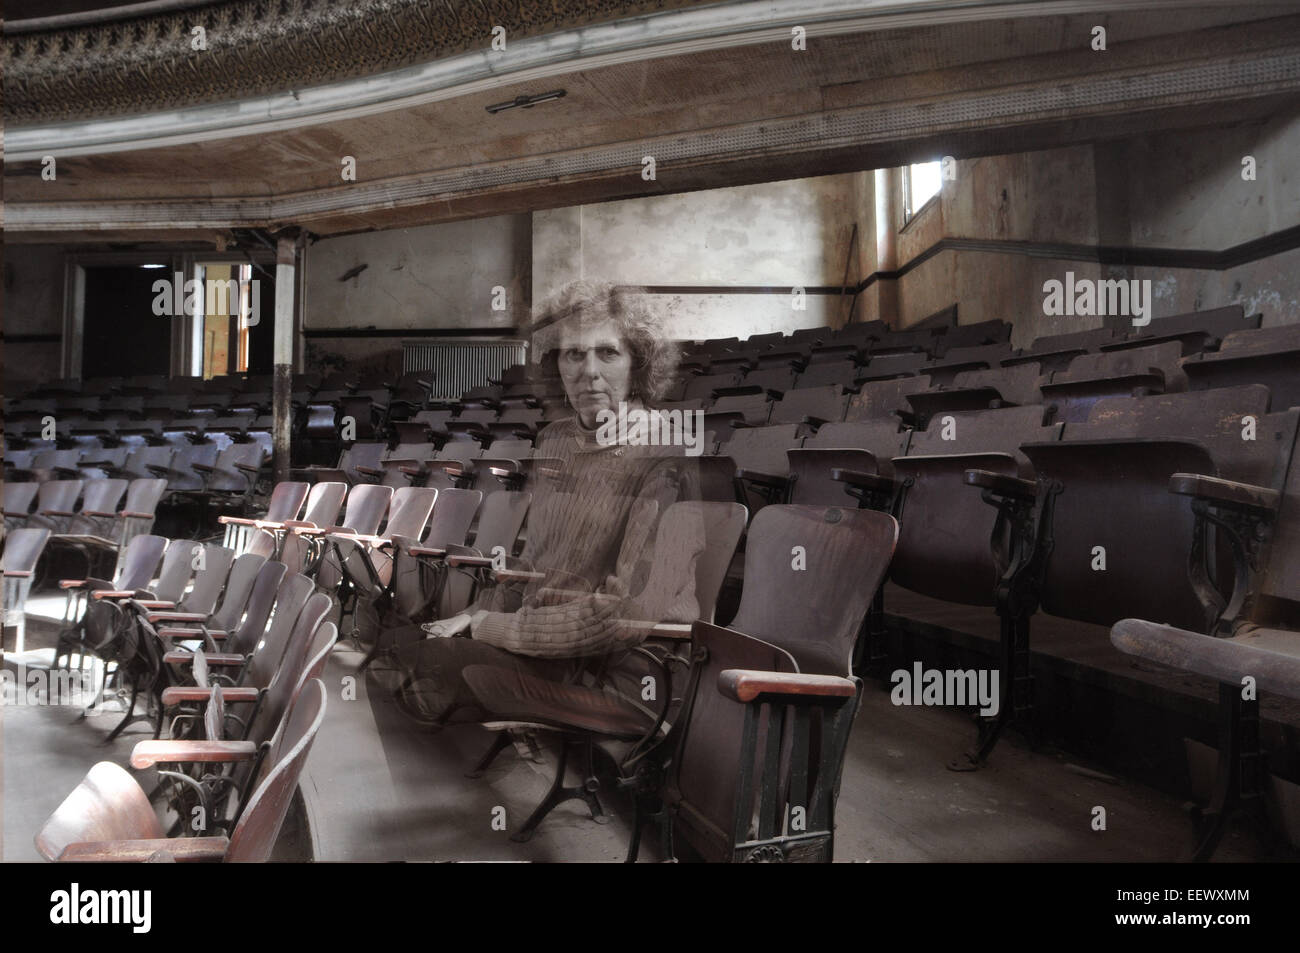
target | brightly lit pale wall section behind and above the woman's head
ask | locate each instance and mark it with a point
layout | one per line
(779, 235)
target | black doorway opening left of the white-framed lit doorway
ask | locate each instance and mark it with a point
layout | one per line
(122, 336)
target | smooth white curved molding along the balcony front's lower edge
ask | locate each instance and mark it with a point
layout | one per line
(531, 59)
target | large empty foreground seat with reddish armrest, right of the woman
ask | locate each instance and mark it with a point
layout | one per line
(782, 666)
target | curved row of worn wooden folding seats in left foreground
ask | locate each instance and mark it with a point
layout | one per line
(228, 651)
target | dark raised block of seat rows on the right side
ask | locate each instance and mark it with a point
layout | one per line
(1137, 482)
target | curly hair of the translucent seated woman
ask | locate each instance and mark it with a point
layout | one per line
(588, 304)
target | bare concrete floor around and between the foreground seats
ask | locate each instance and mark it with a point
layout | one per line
(380, 789)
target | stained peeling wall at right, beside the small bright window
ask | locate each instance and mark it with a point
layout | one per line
(1165, 192)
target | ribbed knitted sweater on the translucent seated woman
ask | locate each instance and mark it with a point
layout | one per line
(592, 532)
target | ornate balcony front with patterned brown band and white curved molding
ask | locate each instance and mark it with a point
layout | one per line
(265, 55)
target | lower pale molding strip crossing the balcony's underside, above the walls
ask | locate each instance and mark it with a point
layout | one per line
(1073, 99)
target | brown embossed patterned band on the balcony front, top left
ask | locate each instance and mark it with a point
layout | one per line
(255, 47)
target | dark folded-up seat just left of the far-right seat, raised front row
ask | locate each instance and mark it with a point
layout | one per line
(1111, 475)
